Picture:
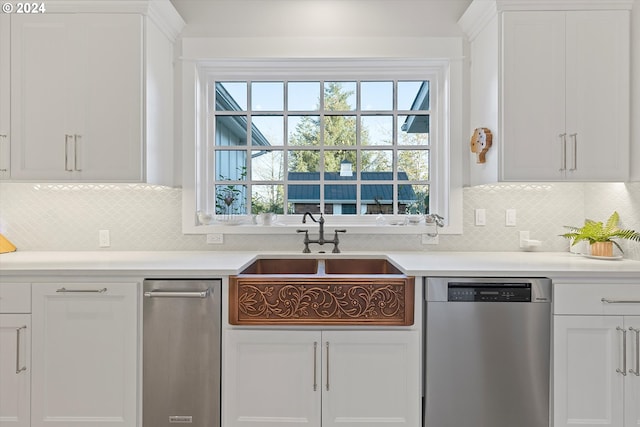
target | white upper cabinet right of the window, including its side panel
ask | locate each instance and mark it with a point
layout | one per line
(553, 86)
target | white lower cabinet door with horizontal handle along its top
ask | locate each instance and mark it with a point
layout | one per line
(84, 355)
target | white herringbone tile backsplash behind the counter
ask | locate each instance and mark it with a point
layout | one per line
(145, 217)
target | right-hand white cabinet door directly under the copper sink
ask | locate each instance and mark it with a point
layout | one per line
(371, 378)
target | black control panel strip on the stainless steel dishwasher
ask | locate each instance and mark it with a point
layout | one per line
(489, 292)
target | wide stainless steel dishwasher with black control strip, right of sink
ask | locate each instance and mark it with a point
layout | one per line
(487, 352)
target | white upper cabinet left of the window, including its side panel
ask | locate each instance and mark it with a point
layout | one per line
(81, 92)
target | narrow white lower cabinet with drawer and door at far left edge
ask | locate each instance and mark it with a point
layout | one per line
(15, 354)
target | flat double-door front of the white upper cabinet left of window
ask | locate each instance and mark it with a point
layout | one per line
(77, 104)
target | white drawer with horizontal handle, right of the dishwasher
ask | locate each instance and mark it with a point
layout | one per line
(602, 299)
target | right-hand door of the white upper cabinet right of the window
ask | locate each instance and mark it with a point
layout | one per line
(598, 90)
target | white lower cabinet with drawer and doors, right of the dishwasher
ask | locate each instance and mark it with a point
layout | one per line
(596, 356)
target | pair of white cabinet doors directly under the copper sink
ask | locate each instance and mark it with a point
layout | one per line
(321, 378)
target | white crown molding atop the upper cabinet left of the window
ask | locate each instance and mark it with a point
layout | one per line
(161, 12)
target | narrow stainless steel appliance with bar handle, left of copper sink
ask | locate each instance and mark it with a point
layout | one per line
(181, 353)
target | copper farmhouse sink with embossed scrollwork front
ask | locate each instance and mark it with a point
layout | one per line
(334, 291)
